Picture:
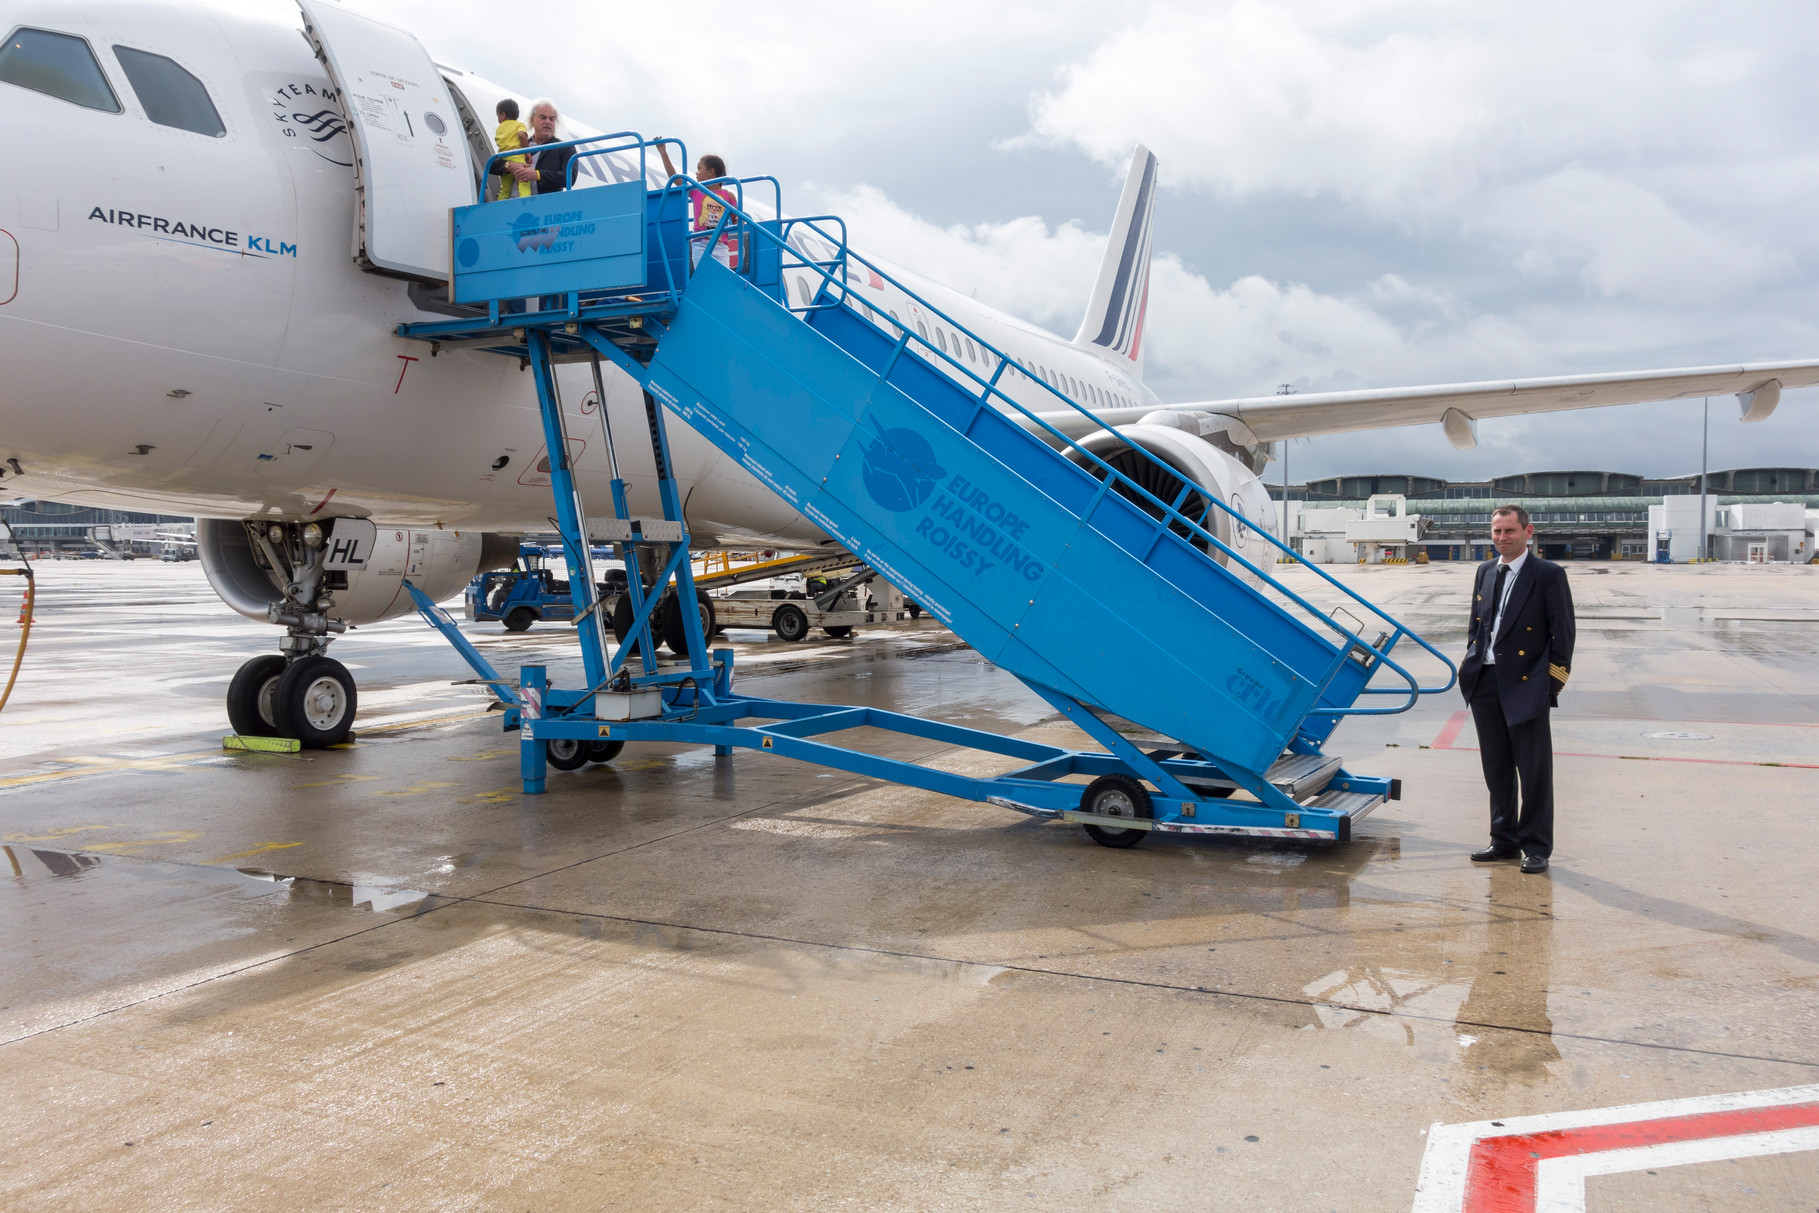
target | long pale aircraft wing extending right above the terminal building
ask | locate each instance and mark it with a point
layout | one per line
(1460, 406)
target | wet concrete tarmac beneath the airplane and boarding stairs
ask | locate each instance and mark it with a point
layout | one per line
(383, 979)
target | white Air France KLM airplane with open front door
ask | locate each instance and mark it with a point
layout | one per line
(197, 314)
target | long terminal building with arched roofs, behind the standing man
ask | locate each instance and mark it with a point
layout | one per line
(1753, 514)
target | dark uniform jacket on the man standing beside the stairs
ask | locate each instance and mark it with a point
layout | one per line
(1536, 645)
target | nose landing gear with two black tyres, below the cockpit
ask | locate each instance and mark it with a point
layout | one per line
(301, 694)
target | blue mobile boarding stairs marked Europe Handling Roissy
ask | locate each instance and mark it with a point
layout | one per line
(1211, 687)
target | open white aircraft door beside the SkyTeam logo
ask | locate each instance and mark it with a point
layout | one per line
(408, 146)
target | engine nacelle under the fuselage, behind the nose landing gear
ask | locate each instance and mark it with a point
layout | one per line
(367, 565)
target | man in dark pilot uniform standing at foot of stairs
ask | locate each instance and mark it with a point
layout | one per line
(1520, 652)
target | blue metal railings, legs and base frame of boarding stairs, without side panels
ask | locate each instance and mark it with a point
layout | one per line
(699, 705)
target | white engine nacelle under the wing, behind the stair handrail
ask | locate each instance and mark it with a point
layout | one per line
(1211, 472)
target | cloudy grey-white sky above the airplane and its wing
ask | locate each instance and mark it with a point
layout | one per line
(1356, 194)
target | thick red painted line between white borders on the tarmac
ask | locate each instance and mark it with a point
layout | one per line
(1502, 1170)
